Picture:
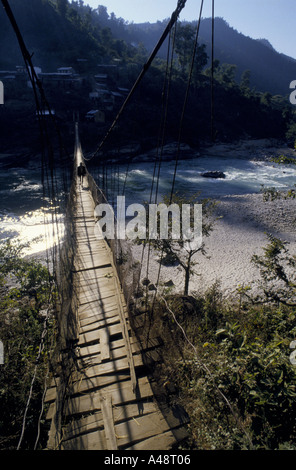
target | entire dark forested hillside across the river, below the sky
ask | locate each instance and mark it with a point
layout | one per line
(250, 97)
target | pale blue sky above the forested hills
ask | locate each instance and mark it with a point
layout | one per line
(274, 20)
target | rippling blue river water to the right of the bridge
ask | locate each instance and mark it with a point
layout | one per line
(242, 177)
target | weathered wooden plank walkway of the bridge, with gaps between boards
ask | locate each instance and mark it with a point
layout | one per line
(110, 404)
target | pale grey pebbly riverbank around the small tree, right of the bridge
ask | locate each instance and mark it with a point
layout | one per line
(239, 233)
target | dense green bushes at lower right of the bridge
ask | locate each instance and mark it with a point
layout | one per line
(238, 385)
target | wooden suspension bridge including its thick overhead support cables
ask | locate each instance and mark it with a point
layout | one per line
(102, 393)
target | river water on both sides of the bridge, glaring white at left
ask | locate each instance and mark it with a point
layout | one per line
(25, 214)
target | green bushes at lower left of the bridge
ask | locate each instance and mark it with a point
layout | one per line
(26, 295)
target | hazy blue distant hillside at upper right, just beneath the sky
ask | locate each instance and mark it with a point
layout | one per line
(270, 70)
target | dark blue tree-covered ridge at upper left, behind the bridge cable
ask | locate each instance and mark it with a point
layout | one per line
(57, 33)
